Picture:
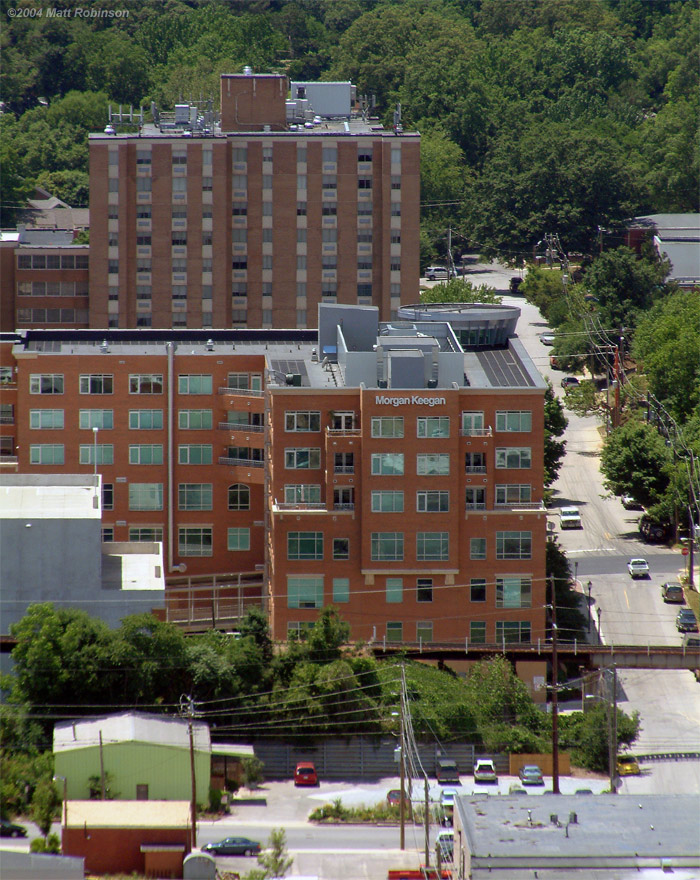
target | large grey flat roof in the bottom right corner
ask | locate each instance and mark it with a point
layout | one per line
(520, 832)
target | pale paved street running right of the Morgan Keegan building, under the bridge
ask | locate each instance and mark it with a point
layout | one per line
(631, 611)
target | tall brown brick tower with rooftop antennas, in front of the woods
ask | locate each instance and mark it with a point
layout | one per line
(253, 221)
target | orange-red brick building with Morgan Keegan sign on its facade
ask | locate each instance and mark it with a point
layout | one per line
(391, 469)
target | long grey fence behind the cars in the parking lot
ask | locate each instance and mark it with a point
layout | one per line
(360, 757)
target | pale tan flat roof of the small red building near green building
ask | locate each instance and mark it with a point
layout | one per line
(128, 814)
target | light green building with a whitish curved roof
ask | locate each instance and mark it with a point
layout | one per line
(142, 756)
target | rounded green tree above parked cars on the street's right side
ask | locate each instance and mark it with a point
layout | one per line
(635, 461)
